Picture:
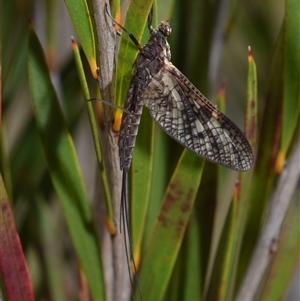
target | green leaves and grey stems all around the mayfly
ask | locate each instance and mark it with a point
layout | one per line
(199, 231)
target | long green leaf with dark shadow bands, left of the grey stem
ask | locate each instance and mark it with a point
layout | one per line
(63, 165)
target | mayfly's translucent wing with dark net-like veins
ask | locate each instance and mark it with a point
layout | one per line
(190, 118)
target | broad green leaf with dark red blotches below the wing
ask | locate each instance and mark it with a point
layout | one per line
(164, 243)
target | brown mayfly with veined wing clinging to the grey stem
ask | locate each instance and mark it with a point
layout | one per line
(178, 107)
